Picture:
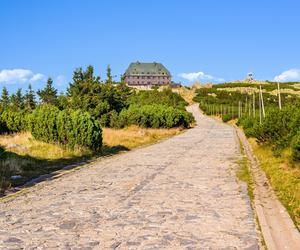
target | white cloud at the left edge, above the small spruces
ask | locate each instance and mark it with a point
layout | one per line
(11, 76)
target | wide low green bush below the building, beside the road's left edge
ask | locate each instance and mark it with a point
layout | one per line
(153, 116)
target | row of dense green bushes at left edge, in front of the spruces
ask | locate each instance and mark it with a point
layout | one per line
(47, 123)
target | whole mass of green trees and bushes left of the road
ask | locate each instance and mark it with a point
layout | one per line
(88, 105)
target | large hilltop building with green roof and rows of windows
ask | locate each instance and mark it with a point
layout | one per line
(147, 75)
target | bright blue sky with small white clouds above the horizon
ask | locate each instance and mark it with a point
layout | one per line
(197, 40)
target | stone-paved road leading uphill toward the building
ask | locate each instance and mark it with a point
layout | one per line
(181, 193)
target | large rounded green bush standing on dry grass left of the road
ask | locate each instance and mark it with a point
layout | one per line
(67, 127)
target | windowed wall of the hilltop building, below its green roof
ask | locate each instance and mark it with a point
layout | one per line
(147, 80)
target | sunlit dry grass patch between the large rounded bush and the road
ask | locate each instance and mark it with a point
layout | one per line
(135, 136)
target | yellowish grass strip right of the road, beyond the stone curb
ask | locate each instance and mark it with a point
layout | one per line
(284, 177)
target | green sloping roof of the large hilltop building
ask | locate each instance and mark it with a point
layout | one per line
(143, 69)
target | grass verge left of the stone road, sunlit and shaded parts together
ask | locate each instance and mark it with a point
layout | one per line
(30, 158)
